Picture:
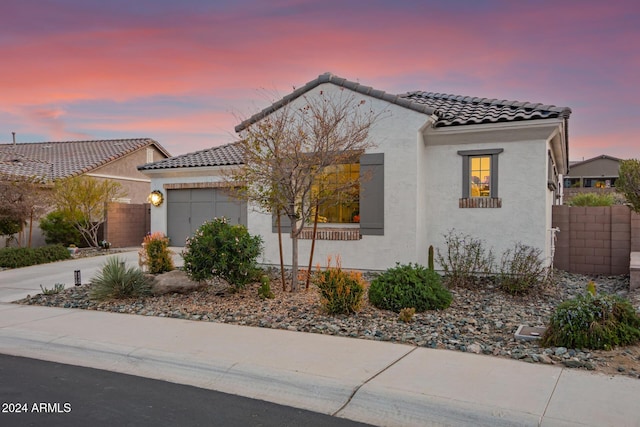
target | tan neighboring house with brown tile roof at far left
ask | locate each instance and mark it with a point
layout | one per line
(115, 159)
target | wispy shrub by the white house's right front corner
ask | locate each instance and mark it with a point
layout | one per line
(522, 270)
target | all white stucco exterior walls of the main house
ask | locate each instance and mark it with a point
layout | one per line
(422, 188)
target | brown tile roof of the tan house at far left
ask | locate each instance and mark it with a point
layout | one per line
(54, 160)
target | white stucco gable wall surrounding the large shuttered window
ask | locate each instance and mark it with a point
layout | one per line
(397, 135)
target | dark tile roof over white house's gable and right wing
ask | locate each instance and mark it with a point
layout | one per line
(451, 110)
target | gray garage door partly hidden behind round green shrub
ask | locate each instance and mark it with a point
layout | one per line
(189, 209)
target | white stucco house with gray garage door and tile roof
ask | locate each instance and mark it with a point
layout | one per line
(483, 167)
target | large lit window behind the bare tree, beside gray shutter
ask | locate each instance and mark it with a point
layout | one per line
(340, 181)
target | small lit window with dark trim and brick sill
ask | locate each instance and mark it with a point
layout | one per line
(480, 178)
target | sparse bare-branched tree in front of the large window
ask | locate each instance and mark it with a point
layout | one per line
(286, 154)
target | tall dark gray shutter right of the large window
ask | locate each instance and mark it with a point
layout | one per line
(372, 194)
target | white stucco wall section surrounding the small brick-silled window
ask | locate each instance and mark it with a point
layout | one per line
(525, 215)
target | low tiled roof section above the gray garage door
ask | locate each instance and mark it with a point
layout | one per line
(224, 155)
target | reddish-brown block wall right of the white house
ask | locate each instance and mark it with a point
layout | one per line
(595, 240)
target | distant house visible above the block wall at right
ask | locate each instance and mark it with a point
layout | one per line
(598, 172)
